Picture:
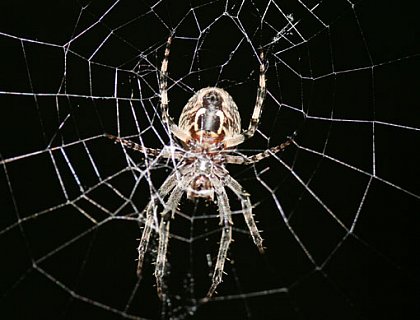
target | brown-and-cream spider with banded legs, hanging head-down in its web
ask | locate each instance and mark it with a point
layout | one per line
(209, 129)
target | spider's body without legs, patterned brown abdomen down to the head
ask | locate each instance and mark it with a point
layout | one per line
(209, 117)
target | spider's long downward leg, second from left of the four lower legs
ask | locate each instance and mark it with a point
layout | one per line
(168, 213)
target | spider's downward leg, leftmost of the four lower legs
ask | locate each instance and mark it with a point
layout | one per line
(166, 187)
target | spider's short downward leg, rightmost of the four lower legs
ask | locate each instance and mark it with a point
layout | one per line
(247, 210)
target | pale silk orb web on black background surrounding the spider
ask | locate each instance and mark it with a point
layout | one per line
(339, 209)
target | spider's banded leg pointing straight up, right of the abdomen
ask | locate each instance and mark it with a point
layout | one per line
(256, 114)
